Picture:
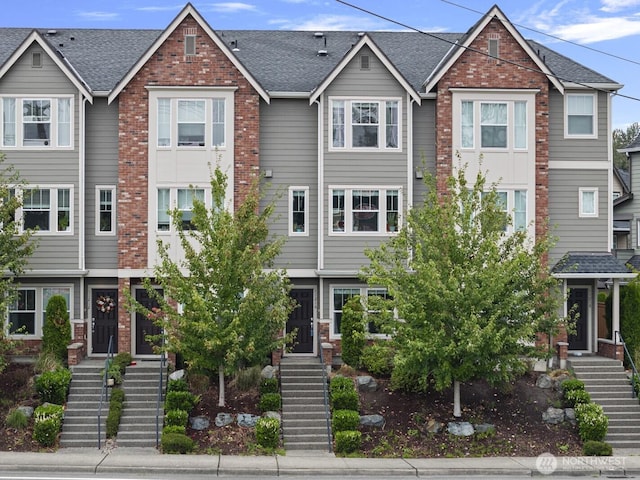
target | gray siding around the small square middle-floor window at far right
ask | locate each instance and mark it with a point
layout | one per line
(573, 232)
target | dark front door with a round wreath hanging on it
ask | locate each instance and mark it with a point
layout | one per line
(104, 319)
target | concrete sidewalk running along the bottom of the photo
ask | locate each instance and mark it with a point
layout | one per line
(149, 461)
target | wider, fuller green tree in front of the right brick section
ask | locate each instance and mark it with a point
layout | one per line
(471, 296)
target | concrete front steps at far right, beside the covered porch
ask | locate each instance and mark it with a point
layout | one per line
(608, 384)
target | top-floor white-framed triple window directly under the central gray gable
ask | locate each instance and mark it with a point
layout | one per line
(366, 124)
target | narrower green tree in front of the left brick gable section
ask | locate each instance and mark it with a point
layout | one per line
(225, 306)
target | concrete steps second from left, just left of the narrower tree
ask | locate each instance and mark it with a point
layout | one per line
(138, 421)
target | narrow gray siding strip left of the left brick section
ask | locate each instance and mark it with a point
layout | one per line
(101, 169)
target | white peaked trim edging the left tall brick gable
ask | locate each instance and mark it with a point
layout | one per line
(188, 10)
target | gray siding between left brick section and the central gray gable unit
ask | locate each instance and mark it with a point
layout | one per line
(288, 147)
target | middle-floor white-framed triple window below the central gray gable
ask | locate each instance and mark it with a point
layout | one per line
(365, 210)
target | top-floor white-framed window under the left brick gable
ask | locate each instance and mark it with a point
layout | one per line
(198, 122)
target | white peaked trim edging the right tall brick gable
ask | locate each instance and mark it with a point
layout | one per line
(458, 49)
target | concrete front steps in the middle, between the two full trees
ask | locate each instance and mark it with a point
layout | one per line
(304, 416)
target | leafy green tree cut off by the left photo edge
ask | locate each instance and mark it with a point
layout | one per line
(15, 248)
